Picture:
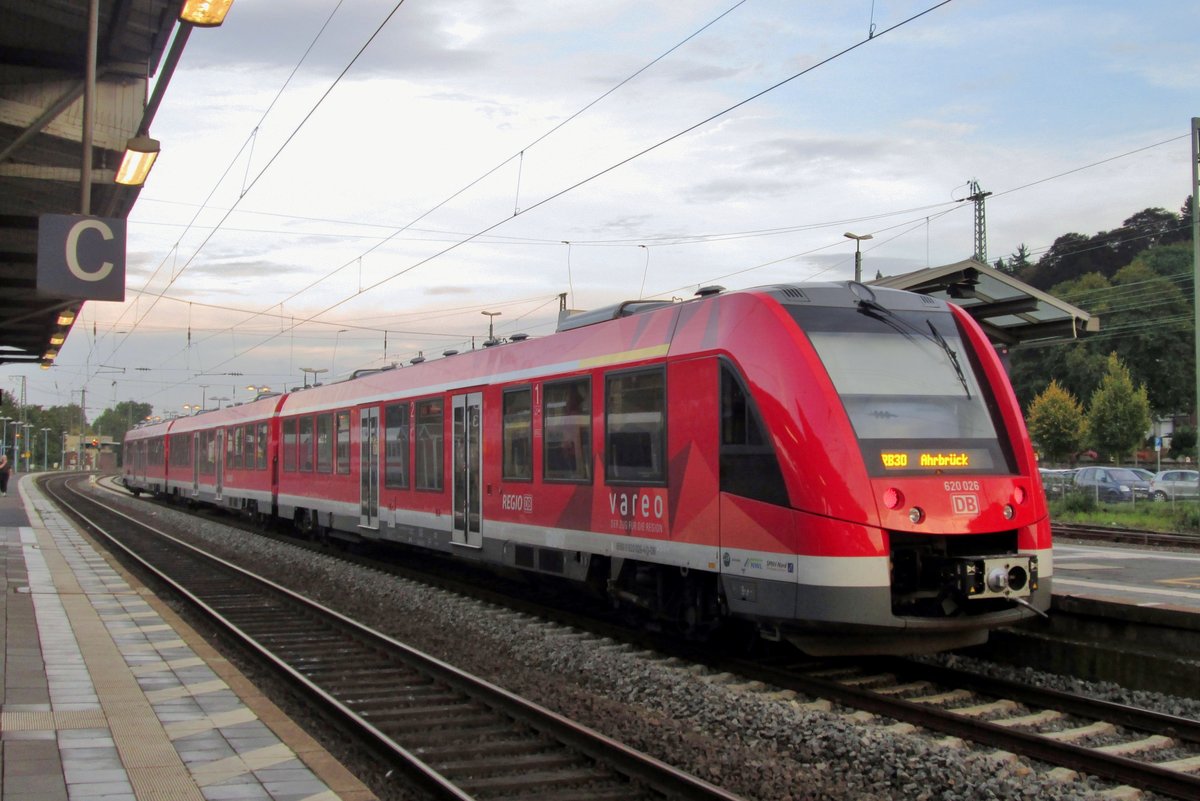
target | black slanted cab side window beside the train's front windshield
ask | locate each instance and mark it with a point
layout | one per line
(748, 463)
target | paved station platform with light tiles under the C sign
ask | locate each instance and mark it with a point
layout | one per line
(107, 696)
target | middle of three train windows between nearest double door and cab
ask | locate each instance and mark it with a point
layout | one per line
(567, 423)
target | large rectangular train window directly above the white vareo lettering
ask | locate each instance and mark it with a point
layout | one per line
(635, 427)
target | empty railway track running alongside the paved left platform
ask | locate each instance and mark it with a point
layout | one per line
(455, 736)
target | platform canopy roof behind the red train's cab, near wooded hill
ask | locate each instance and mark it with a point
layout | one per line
(1010, 311)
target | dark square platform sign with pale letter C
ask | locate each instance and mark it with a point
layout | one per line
(81, 257)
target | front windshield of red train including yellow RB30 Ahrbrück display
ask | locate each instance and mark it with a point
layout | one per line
(910, 388)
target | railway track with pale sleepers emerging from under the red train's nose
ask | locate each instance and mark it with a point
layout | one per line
(1124, 744)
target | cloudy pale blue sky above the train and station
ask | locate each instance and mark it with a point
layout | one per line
(349, 185)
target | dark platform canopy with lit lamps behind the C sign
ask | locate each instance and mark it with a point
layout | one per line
(44, 46)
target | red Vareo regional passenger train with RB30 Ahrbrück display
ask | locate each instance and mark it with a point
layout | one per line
(843, 466)
